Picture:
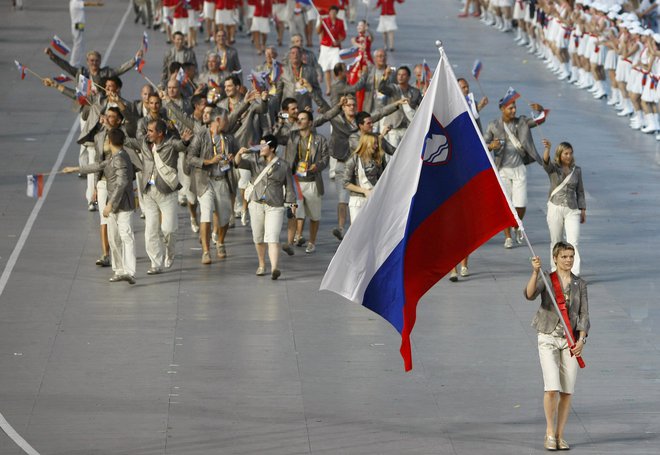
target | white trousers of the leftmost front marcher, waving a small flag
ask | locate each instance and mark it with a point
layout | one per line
(122, 242)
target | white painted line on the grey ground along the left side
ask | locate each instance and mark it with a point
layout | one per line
(6, 427)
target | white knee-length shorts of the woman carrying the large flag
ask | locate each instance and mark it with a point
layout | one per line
(558, 366)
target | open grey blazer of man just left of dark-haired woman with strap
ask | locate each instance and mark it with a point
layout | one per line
(200, 149)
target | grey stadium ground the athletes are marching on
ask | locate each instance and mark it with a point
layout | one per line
(213, 360)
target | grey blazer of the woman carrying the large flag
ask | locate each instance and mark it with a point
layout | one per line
(546, 318)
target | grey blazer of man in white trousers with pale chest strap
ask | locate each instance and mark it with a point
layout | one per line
(168, 151)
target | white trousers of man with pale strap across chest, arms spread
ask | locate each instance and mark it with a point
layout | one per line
(159, 244)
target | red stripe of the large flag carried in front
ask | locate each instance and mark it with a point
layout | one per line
(469, 218)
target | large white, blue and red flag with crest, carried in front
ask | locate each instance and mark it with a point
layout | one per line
(438, 200)
